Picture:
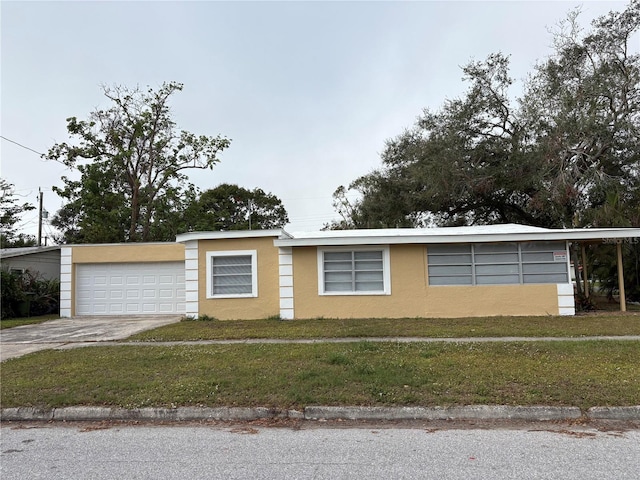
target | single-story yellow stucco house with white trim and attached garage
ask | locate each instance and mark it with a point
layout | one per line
(394, 273)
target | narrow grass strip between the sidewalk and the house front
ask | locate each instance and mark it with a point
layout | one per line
(607, 324)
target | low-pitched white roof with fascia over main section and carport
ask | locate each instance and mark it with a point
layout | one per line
(474, 234)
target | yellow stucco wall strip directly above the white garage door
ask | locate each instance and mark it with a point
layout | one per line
(128, 252)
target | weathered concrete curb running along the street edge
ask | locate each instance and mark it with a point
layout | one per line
(316, 413)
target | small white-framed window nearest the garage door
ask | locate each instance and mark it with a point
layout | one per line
(232, 274)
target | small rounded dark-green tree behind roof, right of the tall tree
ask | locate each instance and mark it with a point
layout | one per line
(230, 207)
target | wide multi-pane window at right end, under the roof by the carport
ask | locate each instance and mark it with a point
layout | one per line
(498, 263)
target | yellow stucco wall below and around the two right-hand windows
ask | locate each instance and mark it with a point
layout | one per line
(411, 296)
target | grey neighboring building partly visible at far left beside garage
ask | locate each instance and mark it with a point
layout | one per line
(43, 260)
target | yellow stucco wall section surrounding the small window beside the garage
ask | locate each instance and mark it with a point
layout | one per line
(266, 304)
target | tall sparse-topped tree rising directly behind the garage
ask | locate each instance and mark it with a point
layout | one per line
(132, 162)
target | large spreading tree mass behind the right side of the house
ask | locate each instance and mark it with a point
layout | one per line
(550, 158)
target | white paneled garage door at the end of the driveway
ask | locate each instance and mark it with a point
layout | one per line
(130, 288)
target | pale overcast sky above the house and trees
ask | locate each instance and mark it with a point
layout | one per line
(308, 92)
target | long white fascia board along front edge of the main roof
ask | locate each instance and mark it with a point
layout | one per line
(441, 237)
